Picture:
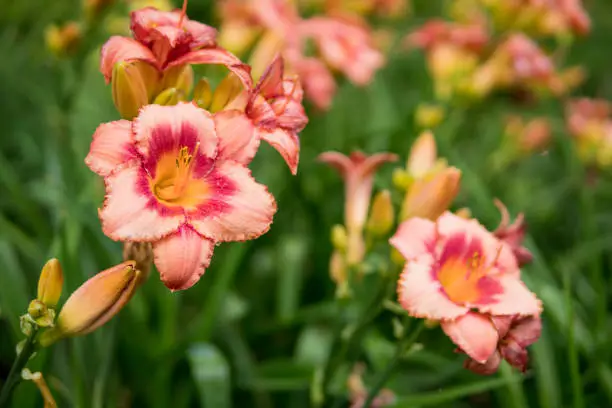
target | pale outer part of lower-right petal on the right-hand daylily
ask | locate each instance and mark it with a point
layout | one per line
(515, 298)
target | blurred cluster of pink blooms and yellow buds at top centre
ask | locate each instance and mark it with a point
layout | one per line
(342, 44)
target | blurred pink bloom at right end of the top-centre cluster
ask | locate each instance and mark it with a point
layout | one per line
(345, 46)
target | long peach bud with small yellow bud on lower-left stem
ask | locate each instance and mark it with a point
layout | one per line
(88, 308)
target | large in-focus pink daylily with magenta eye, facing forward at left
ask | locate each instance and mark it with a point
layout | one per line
(177, 177)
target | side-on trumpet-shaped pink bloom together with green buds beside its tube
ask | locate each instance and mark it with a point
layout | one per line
(349, 240)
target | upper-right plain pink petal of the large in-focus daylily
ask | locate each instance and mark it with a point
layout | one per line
(237, 138)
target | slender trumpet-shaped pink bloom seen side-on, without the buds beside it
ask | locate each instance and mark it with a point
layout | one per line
(357, 170)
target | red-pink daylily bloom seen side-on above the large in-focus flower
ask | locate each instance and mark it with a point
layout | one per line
(169, 39)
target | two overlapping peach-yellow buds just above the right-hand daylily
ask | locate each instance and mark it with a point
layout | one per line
(432, 184)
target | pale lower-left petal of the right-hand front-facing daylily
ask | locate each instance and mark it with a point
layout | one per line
(421, 295)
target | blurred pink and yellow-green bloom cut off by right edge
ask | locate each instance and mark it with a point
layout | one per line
(590, 124)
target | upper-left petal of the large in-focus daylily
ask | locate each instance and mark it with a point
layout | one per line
(111, 147)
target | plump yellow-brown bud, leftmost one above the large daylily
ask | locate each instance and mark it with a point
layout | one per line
(129, 89)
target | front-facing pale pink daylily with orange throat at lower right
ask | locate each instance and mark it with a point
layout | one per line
(456, 271)
